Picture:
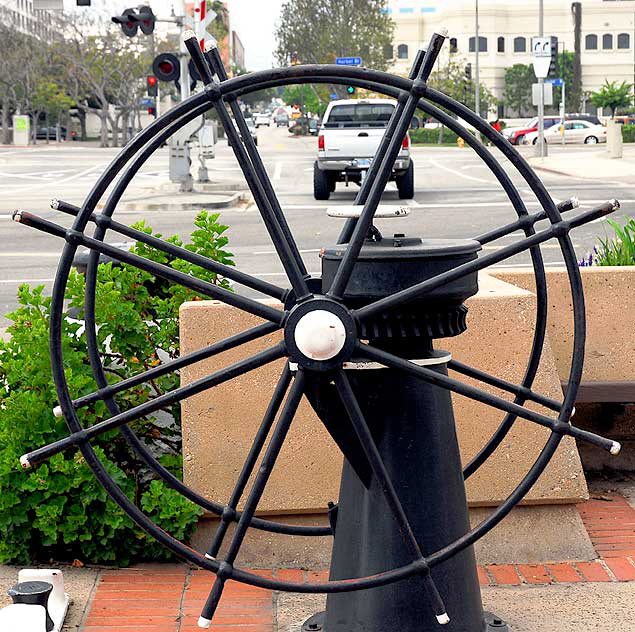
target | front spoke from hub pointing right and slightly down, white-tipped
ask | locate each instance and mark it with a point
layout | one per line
(438, 379)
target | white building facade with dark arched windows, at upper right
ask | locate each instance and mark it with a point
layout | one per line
(505, 31)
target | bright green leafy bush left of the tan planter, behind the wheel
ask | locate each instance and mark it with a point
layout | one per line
(58, 510)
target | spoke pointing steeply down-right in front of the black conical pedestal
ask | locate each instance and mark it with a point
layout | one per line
(369, 447)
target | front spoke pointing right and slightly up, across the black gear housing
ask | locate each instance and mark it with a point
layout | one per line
(419, 289)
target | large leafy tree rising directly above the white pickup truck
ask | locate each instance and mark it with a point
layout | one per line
(321, 30)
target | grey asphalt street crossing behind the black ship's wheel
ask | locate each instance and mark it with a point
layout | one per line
(456, 196)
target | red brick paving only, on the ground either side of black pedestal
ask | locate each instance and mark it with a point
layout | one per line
(169, 597)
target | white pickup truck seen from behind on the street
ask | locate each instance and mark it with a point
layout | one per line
(347, 141)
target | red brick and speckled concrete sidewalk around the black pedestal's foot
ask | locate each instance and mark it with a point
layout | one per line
(571, 596)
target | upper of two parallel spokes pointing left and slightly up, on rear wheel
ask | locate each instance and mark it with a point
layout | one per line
(177, 251)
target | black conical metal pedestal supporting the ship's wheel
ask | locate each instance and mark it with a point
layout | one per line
(413, 426)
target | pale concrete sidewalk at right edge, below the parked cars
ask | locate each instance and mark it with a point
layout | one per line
(593, 163)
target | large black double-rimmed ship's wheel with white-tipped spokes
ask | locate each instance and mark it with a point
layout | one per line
(321, 332)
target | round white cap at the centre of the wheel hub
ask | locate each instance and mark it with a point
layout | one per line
(320, 335)
